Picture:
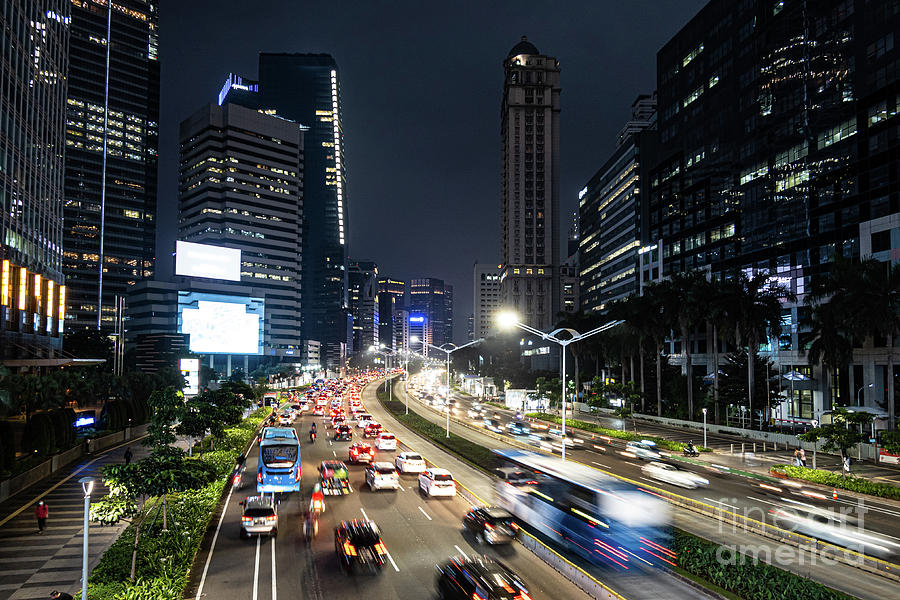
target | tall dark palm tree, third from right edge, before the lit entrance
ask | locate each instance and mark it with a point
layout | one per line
(757, 308)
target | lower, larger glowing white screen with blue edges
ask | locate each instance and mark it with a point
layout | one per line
(220, 324)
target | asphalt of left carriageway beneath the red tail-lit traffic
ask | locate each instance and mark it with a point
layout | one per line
(418, 534)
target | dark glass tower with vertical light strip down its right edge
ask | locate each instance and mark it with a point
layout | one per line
(306, 88)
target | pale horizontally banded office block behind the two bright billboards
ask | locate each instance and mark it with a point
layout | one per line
(241, 186)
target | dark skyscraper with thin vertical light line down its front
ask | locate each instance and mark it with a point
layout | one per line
(110, 179)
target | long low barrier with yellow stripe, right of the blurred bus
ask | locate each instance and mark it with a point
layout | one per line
(830, 551)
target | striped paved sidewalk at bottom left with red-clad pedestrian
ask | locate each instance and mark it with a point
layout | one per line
(31, 564)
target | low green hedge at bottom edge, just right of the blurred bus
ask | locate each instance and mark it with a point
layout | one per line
(743, 575)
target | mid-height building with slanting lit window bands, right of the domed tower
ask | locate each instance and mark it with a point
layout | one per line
(611, 209)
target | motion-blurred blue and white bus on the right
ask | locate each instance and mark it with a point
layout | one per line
(602, 519)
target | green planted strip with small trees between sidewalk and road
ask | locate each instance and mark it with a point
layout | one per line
(169, 498)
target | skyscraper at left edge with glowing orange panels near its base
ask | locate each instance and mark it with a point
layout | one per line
(33, 94)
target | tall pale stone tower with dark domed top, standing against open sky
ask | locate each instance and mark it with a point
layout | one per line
(529, 127)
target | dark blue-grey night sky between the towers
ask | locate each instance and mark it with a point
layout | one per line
(422, 85)
